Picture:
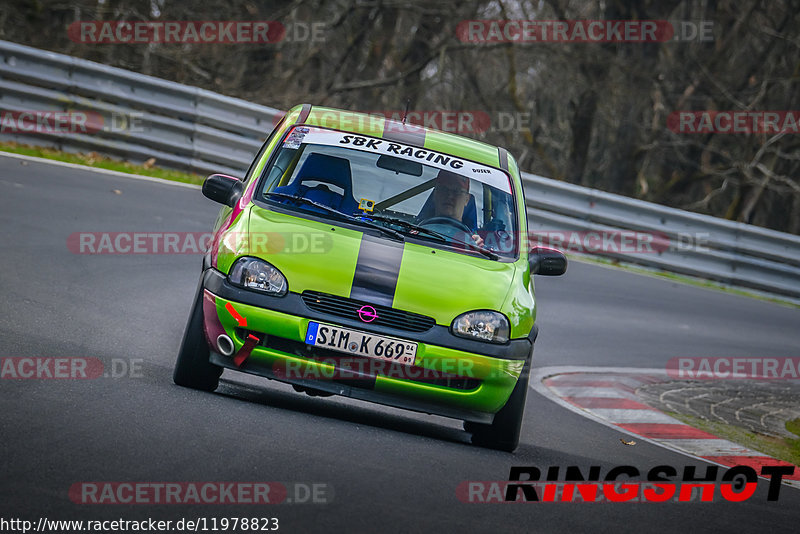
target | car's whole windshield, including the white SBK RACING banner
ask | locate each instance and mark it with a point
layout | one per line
(420, 193)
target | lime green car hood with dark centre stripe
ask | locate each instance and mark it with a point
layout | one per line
(375, 268)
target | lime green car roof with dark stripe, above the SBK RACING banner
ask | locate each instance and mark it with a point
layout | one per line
(408, 134)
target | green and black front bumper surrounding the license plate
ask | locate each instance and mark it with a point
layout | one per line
(445, 380)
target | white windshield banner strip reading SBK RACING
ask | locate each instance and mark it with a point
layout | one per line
(475, 171)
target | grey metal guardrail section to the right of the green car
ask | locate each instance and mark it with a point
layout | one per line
(687, 243)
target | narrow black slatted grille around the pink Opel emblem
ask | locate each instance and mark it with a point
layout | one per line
(348, 308)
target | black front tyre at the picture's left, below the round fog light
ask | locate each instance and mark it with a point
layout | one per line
(193, 370)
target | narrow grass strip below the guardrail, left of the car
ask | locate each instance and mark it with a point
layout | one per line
(92, 159)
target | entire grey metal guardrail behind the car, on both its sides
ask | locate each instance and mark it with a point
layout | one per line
(189, 128)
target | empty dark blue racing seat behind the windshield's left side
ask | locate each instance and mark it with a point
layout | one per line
(326, 170)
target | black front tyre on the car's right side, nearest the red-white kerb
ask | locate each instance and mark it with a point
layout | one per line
(503, 433)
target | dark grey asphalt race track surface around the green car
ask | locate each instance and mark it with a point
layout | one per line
(384, 470)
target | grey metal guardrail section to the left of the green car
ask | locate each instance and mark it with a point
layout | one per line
(181, 126)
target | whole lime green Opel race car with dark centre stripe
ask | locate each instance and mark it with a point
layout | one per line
(378, 260)
